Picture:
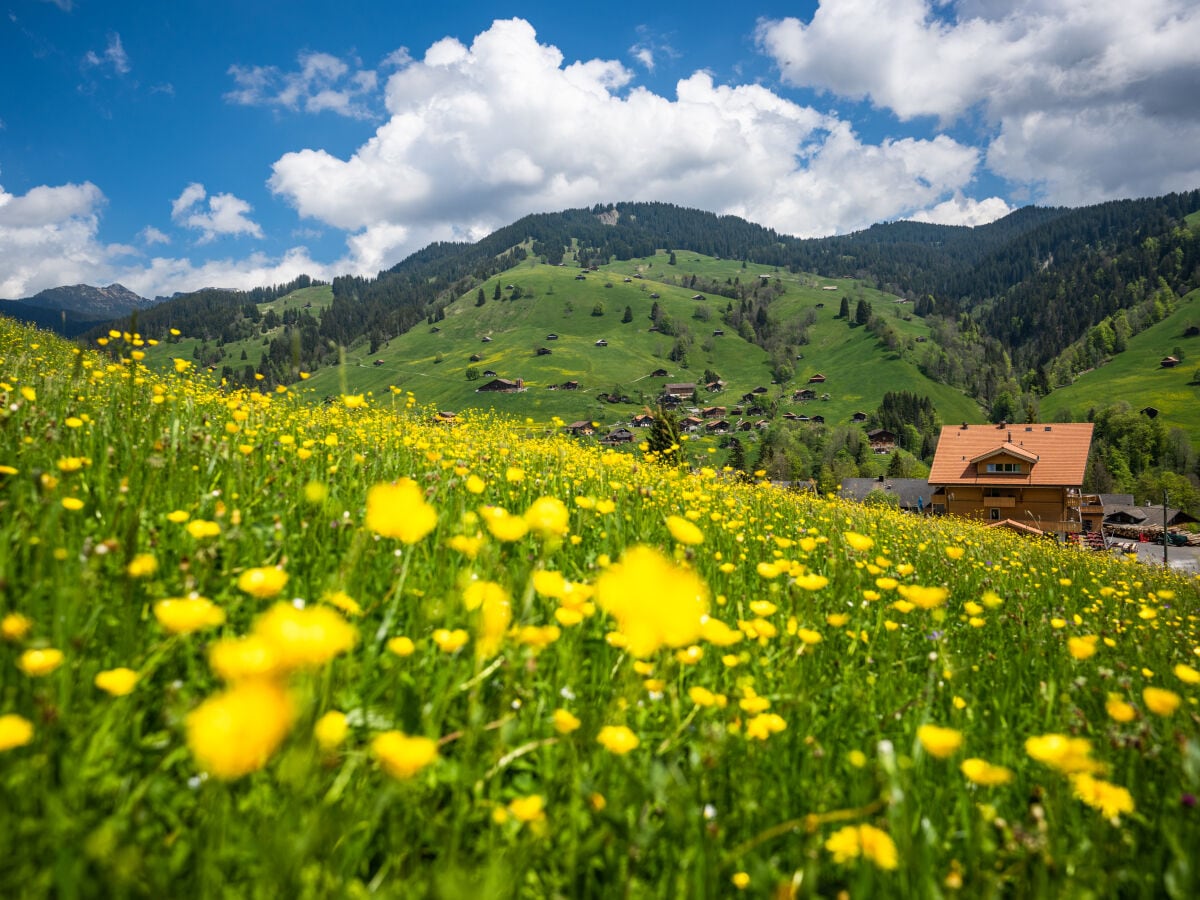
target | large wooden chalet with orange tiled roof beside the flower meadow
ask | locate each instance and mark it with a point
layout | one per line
(1027, 475)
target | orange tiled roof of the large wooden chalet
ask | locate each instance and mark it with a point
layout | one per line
(1061, 453)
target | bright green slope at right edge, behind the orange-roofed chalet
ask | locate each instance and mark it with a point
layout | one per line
(1137, 377)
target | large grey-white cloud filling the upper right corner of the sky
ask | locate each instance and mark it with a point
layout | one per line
(1073, 93)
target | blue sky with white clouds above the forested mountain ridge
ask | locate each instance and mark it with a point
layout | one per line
(184, 145)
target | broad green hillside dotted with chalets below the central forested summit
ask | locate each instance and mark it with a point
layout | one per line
(433, 362)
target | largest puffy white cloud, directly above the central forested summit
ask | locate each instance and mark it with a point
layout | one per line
(479, 136)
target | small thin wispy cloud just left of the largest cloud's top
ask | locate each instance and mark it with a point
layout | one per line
(322, 83)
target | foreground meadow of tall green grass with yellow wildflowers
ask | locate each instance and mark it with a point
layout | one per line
(764, 748)
